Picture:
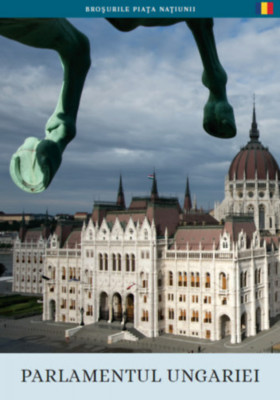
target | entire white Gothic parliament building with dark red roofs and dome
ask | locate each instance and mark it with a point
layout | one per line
(162, 267)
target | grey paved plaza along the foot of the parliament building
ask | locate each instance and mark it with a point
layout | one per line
(32, 335)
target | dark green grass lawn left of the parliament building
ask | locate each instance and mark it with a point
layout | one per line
(19, 306)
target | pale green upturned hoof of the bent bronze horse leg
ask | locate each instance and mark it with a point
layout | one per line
(34, 164)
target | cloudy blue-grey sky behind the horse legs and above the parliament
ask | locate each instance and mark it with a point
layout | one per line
(141, 110)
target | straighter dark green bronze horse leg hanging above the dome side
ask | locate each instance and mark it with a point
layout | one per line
(218, 114)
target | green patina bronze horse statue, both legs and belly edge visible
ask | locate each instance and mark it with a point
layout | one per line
(35, 163)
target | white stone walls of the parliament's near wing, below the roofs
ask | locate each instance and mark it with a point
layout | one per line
(128, 274)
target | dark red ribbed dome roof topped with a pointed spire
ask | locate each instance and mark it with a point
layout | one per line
(254, 159)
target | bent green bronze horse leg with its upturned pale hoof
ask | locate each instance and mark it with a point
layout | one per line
(35, 163)
